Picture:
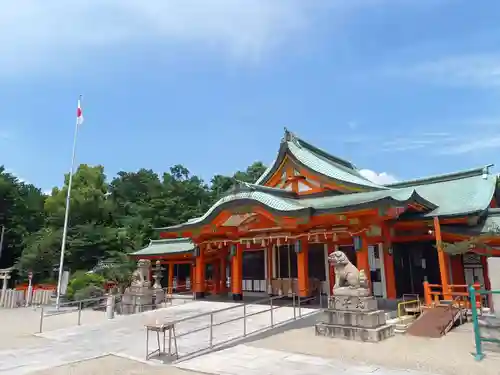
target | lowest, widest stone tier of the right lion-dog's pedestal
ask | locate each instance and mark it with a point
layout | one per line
(355, 333)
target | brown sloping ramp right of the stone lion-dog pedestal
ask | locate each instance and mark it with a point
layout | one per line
(435, 322)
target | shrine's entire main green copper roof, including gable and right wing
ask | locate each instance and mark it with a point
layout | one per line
(456, 194)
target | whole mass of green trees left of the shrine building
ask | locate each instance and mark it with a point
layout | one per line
(108, 217)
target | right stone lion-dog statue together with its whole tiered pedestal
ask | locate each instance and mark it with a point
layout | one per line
(352, 311)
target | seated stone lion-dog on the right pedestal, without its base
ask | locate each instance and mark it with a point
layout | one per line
(346, 274)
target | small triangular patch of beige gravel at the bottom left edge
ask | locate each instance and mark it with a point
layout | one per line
(113, 365)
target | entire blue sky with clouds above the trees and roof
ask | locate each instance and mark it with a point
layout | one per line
(402, 88)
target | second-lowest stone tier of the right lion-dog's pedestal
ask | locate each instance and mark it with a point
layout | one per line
(370, 319)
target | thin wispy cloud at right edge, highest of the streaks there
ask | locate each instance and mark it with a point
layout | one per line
(480, 70)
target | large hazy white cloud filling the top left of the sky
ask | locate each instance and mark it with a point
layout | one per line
(34, 32)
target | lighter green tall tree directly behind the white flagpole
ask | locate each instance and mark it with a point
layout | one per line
(91, 232)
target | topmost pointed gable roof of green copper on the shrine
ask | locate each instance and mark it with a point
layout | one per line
(318, 161)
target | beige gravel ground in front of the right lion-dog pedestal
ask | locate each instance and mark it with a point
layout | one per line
(449, 355)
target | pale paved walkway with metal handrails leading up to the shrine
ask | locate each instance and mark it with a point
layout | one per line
(125, 335)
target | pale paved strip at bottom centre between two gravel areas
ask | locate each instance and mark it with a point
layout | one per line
(248, 360)
